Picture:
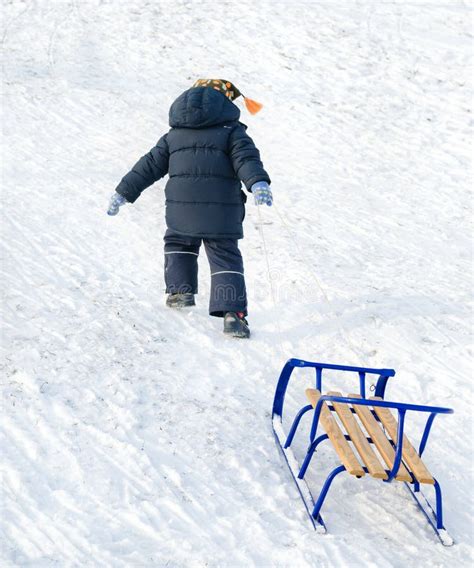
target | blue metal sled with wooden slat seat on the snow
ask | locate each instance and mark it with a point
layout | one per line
(356, 426)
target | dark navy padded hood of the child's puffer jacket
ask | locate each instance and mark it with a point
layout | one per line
(200, 107)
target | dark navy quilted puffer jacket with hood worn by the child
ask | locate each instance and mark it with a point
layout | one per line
(207, 153)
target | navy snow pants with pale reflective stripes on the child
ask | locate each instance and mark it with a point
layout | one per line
(228, 293)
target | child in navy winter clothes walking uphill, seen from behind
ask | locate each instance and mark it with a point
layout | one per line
(206, 153)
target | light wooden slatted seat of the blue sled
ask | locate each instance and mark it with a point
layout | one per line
(378, 436)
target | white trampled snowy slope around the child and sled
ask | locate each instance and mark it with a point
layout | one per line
(136, 436)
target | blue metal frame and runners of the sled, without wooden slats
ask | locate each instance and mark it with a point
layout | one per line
(284, 441)
